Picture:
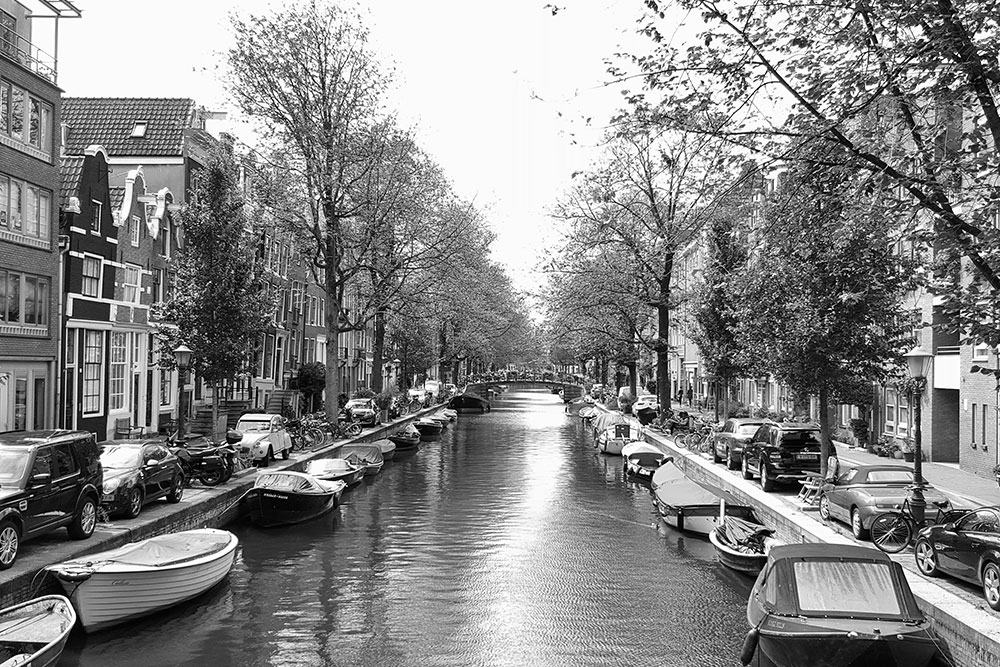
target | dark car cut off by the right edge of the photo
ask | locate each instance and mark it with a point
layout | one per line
(967, 549)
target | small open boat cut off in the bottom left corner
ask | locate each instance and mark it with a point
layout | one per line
(34, 633)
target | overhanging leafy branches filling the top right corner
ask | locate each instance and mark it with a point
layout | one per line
(905, 91)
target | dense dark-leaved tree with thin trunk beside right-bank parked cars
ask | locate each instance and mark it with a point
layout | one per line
(819, 305)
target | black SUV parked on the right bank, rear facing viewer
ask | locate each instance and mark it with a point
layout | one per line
(781, 453)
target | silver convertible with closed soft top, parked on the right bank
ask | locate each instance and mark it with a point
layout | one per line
(859, 493)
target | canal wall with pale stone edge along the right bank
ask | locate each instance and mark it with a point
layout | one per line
(969, 635)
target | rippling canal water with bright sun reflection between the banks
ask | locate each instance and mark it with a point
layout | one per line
(509, 541)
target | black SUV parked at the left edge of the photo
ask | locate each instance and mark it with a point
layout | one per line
(48, 479)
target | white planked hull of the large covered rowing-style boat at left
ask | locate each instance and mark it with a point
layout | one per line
(117, 593)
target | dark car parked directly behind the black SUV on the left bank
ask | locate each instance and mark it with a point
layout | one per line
(136, 473)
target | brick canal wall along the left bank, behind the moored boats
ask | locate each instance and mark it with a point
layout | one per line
(202, 507)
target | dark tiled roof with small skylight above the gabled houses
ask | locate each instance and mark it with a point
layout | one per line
(110, 121)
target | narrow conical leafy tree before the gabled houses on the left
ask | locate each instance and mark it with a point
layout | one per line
(219, 304)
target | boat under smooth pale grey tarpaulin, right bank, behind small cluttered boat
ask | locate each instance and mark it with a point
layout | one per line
(689, 505)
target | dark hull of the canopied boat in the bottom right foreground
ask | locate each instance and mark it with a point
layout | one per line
(898, 645)
